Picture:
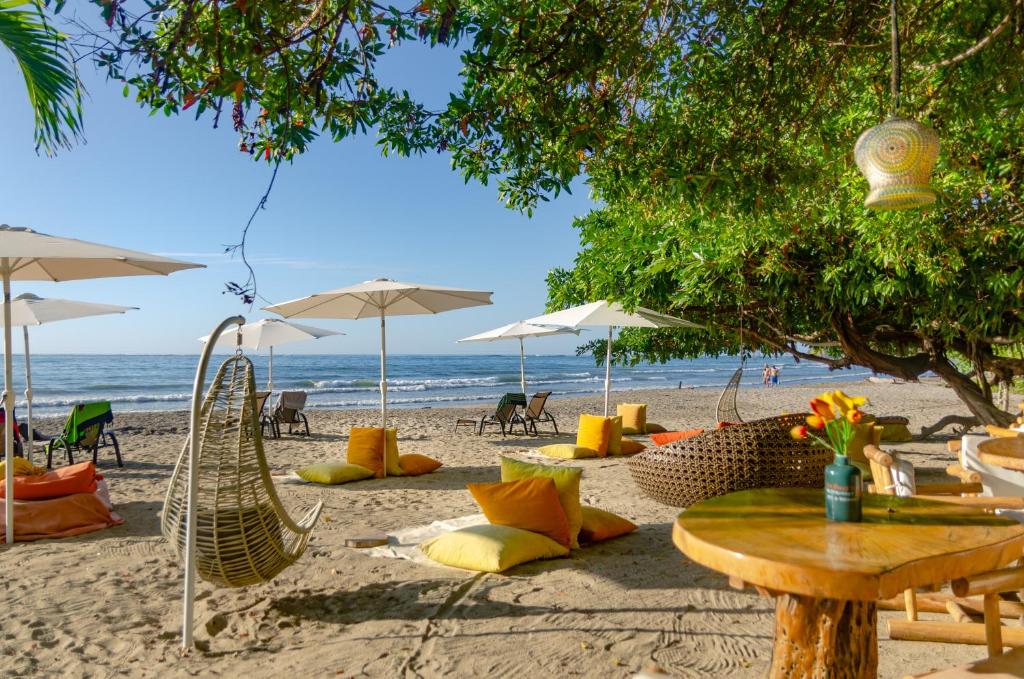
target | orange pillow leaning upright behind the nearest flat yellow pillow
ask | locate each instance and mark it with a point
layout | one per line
(530, 504)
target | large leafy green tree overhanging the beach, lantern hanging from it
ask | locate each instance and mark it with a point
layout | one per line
(717, 135)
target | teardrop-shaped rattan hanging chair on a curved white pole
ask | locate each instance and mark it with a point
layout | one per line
(243, 534)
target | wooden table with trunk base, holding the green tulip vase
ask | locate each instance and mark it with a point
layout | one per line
(827, 577)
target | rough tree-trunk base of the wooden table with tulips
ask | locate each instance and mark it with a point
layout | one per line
(825, 640)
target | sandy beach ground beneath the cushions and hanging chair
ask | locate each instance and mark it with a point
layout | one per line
(108, 604)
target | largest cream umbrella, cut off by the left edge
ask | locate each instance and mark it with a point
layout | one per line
(29, 256)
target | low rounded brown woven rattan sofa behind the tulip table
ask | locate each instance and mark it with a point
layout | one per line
(751, 455)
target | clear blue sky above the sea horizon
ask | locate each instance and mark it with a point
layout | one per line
(340, 215)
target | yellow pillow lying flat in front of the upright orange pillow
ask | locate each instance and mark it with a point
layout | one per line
(491, 548)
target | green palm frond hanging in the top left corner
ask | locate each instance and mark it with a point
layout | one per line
(46, 60)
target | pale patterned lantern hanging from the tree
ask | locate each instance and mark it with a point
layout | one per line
(898, 158)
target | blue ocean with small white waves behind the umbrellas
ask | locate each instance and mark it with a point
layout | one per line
(346, 381)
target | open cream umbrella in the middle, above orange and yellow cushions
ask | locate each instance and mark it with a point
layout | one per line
(381, 299)
